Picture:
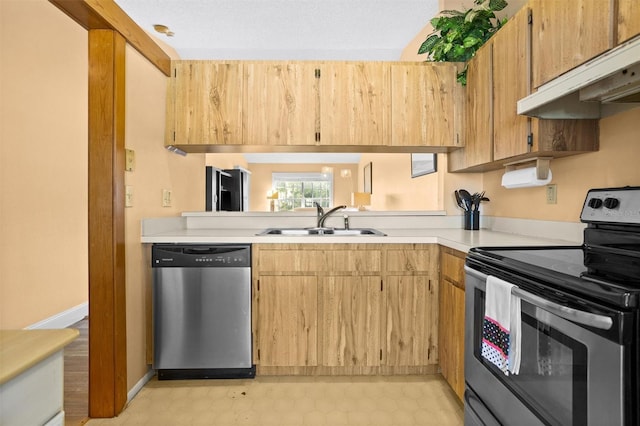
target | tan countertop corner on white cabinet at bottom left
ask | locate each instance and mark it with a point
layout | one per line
(22, 349)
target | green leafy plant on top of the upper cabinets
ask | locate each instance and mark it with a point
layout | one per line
(458, 35)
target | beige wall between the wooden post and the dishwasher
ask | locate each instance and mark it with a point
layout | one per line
(156, 169)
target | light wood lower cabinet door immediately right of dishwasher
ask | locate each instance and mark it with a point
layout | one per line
(287, 321)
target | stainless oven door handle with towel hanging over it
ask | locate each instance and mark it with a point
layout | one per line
(581, 317)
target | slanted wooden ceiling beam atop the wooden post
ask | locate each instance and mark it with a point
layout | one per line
(107, 15)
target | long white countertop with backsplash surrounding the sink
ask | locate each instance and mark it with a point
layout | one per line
(399, 227)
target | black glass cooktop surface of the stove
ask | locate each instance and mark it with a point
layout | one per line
(609, 277)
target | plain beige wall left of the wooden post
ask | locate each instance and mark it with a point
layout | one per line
(43, 162)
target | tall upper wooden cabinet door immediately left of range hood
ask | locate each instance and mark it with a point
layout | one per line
(511, 76)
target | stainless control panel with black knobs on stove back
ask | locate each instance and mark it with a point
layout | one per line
(612, 205)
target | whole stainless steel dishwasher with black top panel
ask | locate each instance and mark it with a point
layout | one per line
(202, 311)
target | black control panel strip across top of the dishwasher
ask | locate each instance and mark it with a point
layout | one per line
(201, 256)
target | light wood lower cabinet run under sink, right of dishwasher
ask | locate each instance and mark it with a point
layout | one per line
(345, 308)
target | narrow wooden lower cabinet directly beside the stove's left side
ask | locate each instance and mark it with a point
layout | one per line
(451, 318)
